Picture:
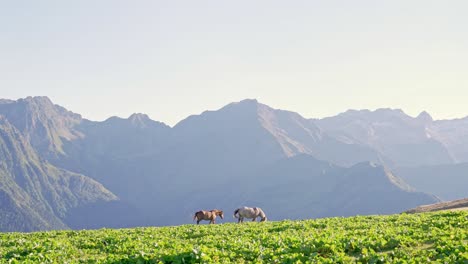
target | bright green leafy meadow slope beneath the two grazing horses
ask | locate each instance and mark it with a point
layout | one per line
(416, 238)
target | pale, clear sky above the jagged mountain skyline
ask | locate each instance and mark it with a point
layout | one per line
(172, 59)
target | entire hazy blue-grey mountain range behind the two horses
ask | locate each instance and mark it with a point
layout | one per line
(59, 170)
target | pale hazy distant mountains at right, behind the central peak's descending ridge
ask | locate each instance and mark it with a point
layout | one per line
(430, 155)
